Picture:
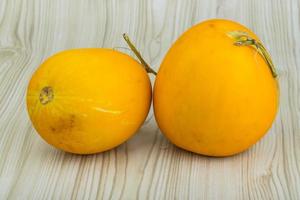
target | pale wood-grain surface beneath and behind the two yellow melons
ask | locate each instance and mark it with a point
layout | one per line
(147, 166)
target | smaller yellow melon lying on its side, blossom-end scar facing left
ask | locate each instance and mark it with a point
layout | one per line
(88, 100)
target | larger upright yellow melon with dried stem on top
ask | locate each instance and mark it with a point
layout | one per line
(216, 91)
